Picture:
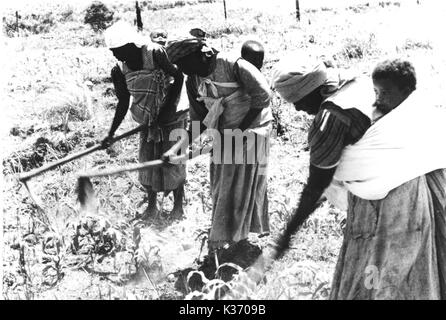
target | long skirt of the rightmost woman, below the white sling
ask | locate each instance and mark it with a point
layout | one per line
(395, 248)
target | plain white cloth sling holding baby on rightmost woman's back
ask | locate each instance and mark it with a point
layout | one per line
(405, 144)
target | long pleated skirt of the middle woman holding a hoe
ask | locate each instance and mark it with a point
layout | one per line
(239, 192)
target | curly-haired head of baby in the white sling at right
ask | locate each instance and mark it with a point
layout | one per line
(394, 80)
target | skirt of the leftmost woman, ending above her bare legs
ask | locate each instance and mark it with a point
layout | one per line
(165, 178)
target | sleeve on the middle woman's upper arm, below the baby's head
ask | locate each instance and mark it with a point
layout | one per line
(254, 83)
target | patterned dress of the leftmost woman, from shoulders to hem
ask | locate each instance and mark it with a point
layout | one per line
(148, 88)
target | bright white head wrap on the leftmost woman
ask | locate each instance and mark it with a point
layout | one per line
(121, 33)
